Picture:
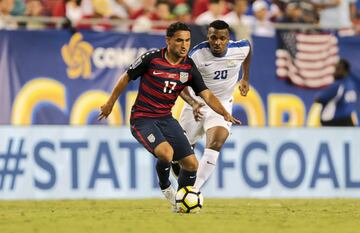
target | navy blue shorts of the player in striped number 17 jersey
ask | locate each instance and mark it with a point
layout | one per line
(150, 132)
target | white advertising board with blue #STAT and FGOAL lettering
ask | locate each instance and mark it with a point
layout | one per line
(61, 162)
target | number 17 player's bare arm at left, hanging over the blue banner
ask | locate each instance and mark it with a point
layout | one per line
(120, 86)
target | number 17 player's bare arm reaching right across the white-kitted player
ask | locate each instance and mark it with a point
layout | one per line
(216, 105)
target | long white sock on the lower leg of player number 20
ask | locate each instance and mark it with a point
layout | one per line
(206, 167)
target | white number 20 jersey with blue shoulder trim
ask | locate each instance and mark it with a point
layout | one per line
(220, 74)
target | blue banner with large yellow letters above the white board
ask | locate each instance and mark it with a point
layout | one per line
(59, 77)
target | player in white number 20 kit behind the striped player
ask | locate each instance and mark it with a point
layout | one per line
(219, 61)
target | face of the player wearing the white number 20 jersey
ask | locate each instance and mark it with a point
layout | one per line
(218, 40)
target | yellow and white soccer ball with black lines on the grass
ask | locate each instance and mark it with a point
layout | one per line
(189, 200)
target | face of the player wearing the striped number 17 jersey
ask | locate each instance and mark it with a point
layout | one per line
(179, 44)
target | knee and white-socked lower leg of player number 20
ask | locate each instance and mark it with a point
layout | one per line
(215, 138)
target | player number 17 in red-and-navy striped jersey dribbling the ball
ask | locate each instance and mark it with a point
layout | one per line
(164, 74)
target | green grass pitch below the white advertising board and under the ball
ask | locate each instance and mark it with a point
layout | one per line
(154, 215)
